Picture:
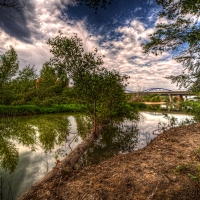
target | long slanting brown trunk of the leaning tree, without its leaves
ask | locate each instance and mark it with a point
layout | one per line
(62, 168)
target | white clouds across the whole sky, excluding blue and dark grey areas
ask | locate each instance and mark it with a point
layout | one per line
(123, 54)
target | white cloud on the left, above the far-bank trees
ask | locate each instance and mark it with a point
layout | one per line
(44, 23)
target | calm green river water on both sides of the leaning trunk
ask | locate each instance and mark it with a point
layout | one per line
(30, 146)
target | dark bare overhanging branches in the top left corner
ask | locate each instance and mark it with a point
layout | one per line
(15, 4)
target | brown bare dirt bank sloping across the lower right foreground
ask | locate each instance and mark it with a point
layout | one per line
(168, 168)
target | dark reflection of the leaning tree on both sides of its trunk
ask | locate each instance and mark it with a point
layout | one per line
(116, 138)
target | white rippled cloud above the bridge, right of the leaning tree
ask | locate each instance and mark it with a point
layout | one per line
(144, 70)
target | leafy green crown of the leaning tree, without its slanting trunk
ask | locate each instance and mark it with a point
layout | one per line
(102, 91)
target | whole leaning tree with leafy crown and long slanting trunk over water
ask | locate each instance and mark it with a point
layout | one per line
(90, 80)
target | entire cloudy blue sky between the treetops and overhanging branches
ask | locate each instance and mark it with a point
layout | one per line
(116, 32)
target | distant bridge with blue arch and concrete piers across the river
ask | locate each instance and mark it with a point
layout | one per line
(181, 94)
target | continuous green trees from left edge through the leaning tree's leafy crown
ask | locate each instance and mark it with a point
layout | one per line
(99, 90)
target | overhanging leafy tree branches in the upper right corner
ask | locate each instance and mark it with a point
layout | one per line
(180, 35)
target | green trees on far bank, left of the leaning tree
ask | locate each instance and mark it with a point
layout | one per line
(20, 87)
